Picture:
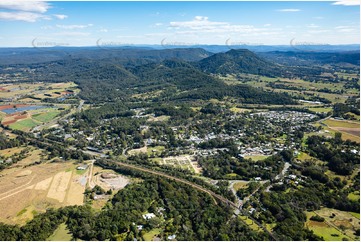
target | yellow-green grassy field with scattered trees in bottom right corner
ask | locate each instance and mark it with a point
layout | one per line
(337, 225)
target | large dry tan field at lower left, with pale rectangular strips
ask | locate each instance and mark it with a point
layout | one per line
(35, 188)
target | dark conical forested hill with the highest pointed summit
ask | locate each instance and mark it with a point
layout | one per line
(238, 61)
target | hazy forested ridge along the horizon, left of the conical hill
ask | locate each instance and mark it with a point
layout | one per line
(9, 56)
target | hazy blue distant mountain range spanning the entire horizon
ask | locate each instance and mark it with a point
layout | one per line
(159, 53)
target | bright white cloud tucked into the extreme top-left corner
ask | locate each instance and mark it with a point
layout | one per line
(21, 5)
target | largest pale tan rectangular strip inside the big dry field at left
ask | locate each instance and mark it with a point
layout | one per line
(59, 186)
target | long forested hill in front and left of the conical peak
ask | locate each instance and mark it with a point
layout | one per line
(195, 84)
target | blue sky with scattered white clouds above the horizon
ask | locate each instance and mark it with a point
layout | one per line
(49, 23)
